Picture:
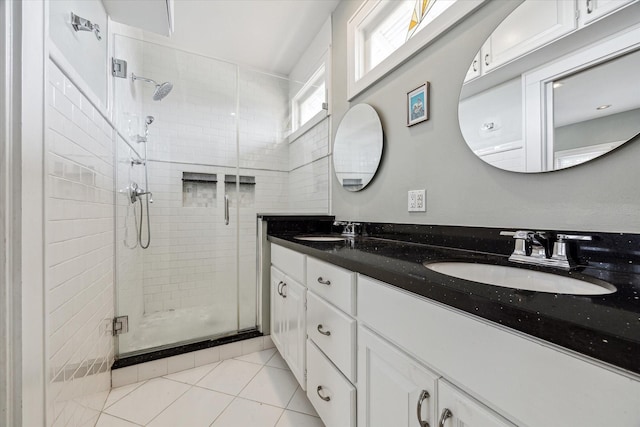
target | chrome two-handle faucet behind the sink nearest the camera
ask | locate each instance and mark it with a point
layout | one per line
(535, 248)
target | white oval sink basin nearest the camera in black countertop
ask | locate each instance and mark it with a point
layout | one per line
(521, 278)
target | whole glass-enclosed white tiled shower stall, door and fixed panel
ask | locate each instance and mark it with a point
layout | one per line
(215, 155)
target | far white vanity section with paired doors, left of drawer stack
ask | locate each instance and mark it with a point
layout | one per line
(288, 314)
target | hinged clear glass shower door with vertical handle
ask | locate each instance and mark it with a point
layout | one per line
(184, 287)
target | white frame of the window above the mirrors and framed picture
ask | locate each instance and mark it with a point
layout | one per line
(357, 80)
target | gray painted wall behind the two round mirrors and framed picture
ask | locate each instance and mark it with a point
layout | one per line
(602, 195)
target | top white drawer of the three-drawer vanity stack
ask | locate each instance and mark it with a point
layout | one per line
(332, 283)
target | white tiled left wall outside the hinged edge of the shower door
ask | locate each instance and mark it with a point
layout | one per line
(79, 233)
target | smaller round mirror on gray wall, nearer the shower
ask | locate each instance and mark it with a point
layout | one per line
(357, 149)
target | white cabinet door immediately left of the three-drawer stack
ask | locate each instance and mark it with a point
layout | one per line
(296, 328)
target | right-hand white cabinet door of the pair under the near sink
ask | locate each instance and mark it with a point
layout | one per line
(457, 409)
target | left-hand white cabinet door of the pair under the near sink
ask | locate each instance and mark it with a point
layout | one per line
(392, 387)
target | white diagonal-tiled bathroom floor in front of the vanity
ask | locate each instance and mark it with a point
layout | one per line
(255, 390)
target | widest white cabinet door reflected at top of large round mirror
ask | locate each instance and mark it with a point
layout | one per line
(533, 24)
